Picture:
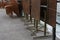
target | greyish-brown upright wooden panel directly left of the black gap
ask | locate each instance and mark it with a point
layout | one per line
(35, 9)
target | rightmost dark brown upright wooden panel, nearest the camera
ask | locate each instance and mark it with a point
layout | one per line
(52, 5)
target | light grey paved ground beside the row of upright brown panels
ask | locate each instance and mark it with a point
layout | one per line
(14, 28)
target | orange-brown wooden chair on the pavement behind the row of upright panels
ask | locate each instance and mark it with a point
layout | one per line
(12, 7)
